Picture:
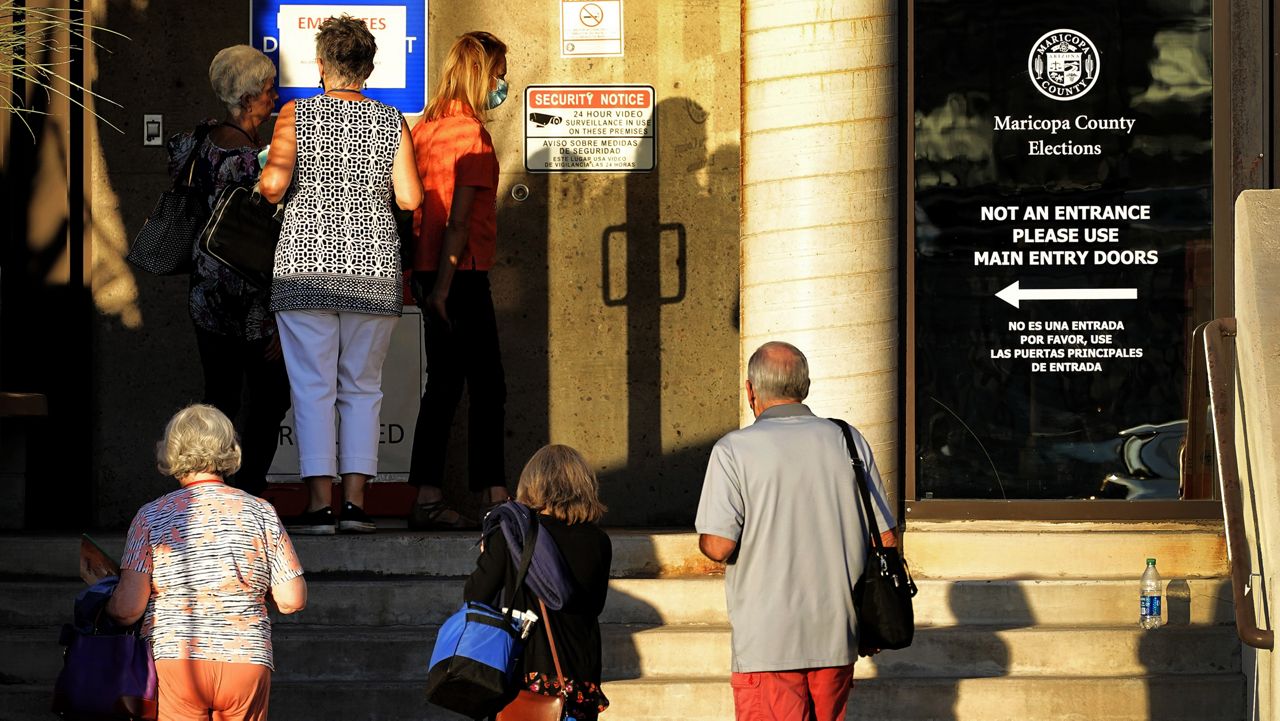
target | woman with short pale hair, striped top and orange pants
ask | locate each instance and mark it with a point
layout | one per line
(200, 564)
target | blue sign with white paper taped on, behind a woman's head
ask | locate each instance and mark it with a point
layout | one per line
(286, 33)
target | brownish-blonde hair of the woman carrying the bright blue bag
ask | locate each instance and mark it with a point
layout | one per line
(559, 481)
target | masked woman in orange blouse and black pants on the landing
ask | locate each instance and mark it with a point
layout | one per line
(458, 236)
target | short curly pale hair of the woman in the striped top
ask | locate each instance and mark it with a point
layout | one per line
(199, 440)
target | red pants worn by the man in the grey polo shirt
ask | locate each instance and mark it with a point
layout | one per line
(808, 695)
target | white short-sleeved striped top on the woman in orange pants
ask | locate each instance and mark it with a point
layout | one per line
(213, 554)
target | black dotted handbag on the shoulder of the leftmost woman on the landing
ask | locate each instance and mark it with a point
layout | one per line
(166, 243)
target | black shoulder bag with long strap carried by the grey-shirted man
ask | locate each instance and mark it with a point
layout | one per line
(883, 597)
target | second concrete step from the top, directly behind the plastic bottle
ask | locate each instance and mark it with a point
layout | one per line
(427, 601)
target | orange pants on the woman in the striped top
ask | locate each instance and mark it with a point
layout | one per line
(199, 691)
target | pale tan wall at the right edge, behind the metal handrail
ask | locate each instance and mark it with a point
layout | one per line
(1258, 312)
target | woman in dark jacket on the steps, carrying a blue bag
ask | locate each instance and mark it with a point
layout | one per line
(560, 486)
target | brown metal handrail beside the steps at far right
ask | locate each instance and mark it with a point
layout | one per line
(1220, 369)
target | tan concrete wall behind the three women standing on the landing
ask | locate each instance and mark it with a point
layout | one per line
(643, 389)
